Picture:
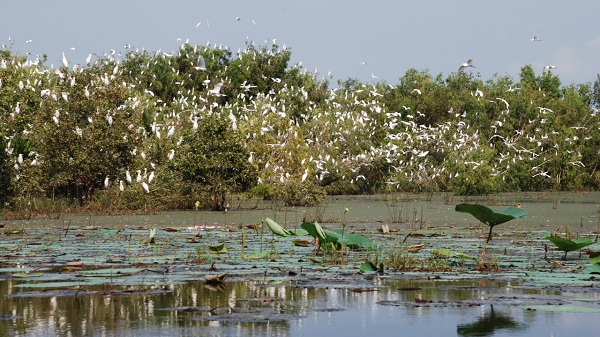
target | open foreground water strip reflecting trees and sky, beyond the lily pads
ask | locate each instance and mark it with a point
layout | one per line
(281, 309)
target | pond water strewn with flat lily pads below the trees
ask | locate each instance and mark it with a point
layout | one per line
(98, 275)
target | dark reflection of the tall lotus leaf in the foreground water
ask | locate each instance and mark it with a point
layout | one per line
(488, 324)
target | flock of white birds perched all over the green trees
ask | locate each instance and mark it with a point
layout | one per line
(330, 139)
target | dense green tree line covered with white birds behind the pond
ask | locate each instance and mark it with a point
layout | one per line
(166, 130)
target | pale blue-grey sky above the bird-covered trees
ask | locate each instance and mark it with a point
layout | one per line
(372, 41)
